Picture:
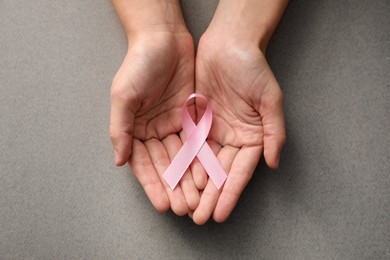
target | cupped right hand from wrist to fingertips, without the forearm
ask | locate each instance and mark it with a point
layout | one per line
(248, 118)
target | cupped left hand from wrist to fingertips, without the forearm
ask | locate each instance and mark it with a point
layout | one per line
(147, 94)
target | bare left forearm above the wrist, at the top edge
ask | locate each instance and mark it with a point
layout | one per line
(150, 16)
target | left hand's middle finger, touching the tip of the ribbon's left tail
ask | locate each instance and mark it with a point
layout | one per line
(161, 161)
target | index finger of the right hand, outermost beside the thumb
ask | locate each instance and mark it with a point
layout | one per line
(240, 173)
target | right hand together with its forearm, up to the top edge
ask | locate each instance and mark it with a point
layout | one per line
(231, 70)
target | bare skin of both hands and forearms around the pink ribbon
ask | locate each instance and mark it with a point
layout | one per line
(157, 76)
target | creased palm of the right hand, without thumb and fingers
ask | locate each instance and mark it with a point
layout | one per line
(231, 83)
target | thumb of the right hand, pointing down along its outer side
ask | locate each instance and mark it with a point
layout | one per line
(271, 111)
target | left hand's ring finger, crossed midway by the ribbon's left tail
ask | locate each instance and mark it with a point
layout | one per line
(173, 144)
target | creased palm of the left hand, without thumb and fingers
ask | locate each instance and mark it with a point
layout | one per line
(160, 77)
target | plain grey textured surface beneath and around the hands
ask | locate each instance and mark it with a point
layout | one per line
(62, 198)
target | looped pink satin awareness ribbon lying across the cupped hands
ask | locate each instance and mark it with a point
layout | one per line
(195, 146)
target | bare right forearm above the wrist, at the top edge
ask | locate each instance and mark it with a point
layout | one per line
(248, 20)
